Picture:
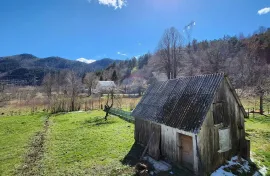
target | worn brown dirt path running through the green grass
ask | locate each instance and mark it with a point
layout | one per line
(33, 157)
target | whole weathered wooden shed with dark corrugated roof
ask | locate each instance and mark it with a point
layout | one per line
(196, 122)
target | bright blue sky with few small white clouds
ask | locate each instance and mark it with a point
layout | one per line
(118, 29)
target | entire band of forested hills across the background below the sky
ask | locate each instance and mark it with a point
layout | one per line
(245, 59)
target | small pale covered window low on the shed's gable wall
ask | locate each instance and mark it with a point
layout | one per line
(224, 140)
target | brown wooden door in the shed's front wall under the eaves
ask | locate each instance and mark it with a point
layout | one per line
(185, 149)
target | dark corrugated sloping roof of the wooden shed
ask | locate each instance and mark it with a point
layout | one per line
(180, 103)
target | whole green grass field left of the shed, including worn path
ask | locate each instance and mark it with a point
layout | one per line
(78, 143)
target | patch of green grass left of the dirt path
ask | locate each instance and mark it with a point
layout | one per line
(16, 133)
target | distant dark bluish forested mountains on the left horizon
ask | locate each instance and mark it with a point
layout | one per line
(31, 69)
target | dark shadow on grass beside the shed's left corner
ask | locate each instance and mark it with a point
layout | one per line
(133, 156)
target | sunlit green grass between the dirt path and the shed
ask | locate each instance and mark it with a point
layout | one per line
(85, 144)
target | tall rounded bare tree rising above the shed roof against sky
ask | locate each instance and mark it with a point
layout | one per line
(169, 51)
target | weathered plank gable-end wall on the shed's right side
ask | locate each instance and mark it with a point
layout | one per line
(208, 137)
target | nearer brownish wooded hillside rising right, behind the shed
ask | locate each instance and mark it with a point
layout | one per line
(245, 59)
